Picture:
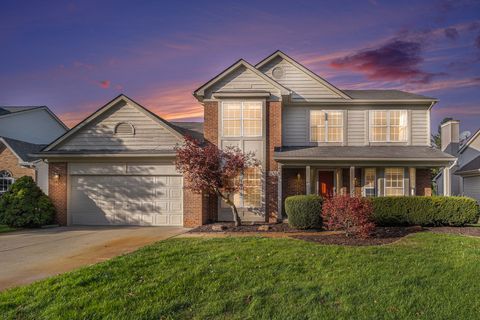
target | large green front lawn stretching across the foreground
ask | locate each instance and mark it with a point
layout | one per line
(425, 275)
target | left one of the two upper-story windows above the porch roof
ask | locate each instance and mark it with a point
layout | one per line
(326, 126)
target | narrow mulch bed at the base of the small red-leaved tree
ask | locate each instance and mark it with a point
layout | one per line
(230, 227)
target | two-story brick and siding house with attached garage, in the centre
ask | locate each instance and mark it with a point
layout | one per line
(116, 167)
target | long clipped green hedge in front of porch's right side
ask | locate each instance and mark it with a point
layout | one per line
(425, 211)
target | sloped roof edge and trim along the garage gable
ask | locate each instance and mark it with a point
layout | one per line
(173, 129)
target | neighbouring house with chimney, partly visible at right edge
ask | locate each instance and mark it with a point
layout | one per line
(462, 177)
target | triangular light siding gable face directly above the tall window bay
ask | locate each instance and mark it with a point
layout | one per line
(242, 79)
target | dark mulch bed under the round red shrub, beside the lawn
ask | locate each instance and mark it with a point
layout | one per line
(381, 236)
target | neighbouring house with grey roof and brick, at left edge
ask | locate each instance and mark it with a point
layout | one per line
(24, 131)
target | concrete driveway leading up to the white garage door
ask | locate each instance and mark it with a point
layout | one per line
(27, 256)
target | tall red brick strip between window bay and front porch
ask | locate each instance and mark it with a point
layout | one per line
(273, 139)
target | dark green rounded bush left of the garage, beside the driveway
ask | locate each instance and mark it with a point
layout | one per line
(25, 205)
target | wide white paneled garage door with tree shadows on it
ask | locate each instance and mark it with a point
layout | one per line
(155, 200)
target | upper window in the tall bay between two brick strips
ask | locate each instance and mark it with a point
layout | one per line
(242, 118)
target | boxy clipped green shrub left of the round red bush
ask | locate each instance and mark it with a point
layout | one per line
(304, 211)
